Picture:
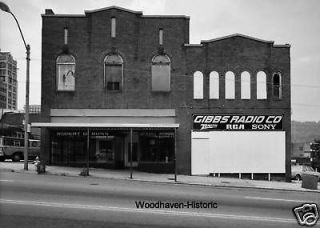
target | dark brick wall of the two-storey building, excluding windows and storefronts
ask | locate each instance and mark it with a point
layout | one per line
(137, 42)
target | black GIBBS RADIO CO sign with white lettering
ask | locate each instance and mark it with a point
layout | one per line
(207, 122)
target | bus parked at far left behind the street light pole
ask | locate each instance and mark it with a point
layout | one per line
(13, 148)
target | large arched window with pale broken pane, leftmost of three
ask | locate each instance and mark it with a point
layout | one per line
(65, 73)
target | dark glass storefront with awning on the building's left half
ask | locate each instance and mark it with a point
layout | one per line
(110, 145)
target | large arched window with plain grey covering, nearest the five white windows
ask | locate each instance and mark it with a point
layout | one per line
(161, 73)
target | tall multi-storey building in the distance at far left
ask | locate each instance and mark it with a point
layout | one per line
(8, 81)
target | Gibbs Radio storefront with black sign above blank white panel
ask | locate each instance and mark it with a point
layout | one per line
(241, 144)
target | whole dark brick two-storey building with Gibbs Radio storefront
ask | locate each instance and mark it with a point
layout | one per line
(125, 89)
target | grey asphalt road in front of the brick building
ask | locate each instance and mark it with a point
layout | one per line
(57, 201)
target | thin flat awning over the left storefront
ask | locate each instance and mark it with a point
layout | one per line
(104, 125)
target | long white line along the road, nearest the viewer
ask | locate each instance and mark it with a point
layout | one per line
(148, 211)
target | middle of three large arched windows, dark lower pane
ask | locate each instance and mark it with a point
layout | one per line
(113, 72)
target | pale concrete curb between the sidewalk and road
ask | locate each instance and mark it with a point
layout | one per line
(160, 181)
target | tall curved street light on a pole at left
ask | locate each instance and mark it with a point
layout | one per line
(5, 8)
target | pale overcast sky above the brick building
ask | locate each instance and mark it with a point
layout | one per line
(294, 22)
